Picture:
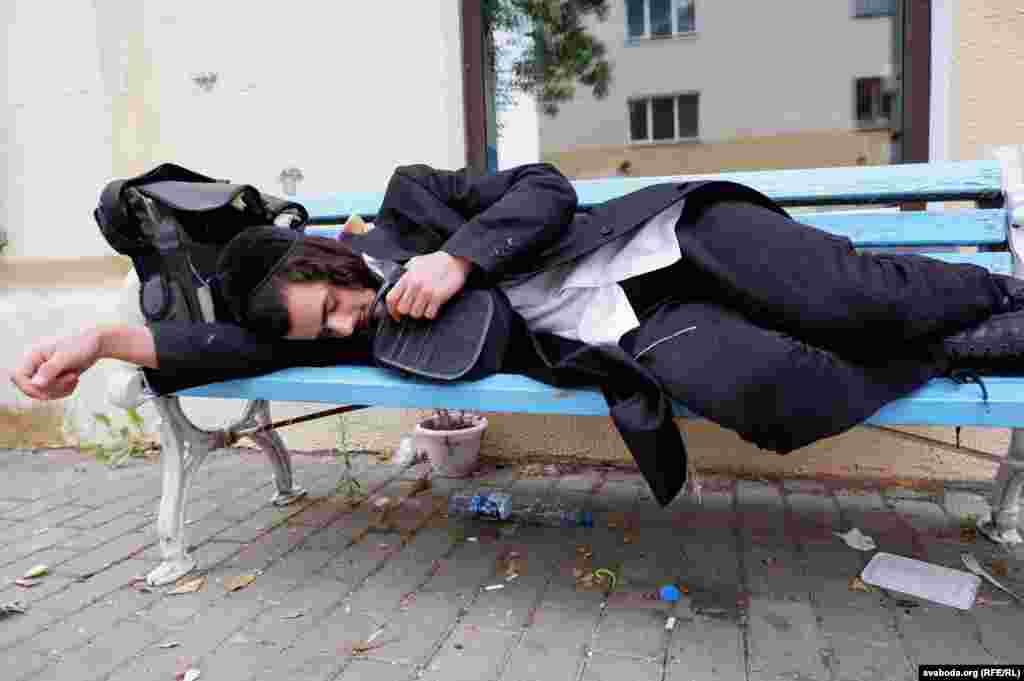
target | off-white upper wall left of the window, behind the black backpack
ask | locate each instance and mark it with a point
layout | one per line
(97, 90)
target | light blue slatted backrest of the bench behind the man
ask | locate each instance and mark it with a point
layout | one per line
(984, 224)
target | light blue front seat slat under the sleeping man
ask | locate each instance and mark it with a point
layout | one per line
(940, 403)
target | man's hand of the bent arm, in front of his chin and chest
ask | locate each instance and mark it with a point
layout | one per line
(430, 282)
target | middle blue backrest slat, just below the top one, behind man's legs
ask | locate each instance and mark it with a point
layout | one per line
(955, 228)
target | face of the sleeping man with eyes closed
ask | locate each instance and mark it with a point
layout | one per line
(323, 310)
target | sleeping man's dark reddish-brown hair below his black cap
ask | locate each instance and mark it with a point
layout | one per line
(314, 260)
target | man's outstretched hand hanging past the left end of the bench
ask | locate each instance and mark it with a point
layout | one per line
(52, 370)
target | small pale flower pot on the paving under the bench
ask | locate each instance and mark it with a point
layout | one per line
(452, 445)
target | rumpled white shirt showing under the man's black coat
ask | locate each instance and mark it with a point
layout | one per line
(582, 300)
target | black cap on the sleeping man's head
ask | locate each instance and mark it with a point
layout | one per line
(249, 262)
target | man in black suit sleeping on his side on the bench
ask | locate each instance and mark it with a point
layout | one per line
(706, 292)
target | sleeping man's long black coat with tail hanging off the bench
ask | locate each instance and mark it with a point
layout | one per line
(510, 225)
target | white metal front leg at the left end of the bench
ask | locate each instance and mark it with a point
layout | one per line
(185, 449)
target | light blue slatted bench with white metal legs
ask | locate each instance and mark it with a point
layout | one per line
(995, 190)
